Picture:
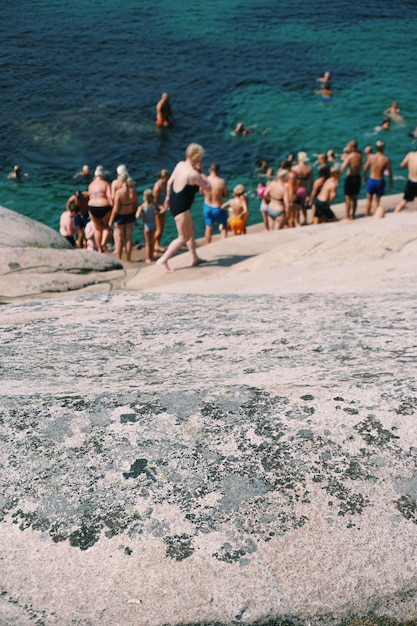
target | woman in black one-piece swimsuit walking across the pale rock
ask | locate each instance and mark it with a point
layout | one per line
(183, 184)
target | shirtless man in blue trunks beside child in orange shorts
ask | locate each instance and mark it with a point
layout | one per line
(213, 199)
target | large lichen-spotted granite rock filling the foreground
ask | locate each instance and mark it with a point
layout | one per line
(191, 459)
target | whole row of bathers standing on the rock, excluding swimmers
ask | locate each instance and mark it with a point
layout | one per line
(113, 208)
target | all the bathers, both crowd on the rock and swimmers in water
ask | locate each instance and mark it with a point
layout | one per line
(109, 209)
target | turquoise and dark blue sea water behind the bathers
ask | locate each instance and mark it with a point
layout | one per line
(80, 82)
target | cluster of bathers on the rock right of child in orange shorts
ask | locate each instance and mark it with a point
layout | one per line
(296, 188)
